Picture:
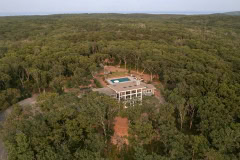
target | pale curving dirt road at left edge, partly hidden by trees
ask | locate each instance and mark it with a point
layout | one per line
(3, 116)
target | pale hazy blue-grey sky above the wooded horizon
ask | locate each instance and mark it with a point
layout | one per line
(87, 6)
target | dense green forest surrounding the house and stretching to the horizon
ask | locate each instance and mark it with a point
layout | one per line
(196, 59)
